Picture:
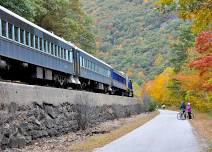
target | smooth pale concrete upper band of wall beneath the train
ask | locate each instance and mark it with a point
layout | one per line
(26, 94)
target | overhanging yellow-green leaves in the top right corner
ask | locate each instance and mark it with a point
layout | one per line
(199, 12)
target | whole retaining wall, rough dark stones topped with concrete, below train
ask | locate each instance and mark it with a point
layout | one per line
(22, 122)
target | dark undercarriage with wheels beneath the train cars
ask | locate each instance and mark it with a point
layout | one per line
(17, 71)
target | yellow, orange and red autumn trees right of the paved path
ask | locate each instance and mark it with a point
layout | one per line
(193, 83)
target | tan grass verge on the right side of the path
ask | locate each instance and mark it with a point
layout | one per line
(203, 125)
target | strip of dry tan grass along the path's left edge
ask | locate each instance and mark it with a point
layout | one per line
(97, 141)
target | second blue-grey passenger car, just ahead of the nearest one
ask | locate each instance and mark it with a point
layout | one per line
(94, 72)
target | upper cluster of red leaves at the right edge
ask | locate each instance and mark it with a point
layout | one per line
(204, 42)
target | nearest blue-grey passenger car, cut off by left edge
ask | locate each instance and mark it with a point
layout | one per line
(23, 41)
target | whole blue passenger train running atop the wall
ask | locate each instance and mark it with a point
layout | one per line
(34, 55)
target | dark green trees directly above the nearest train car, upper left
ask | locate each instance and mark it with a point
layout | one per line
(65, 18)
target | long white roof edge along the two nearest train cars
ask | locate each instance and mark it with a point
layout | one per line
(50, 33)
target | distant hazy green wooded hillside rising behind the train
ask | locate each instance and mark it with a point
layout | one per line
(134, 36)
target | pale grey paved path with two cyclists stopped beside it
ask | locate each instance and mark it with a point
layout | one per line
(164, 133)
